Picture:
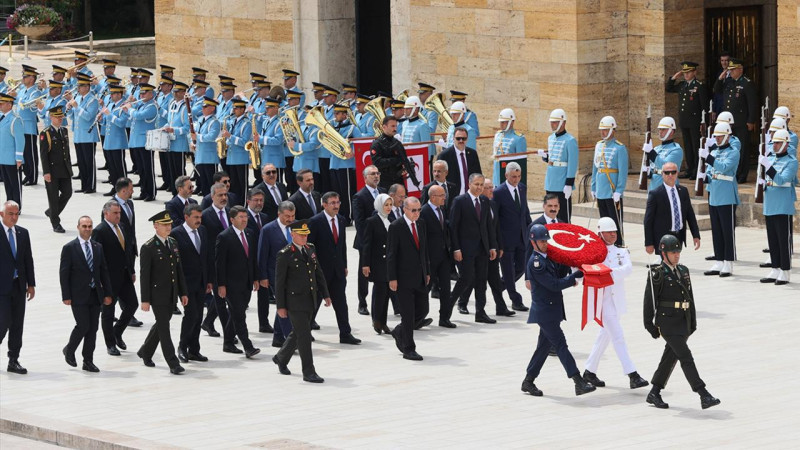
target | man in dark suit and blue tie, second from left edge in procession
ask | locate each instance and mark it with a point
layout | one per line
(85, 283)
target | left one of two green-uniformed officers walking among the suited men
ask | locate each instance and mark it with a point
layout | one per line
(161, 282)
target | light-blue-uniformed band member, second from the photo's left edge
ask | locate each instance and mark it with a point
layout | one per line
(27, 94)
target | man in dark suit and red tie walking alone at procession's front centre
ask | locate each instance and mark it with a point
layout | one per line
(408, 270)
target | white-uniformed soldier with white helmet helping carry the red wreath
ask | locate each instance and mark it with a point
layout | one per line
(618, 260)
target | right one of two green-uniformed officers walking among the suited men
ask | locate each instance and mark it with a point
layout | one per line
(298, 281)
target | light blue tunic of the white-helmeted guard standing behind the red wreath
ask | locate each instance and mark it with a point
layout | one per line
(610, 168)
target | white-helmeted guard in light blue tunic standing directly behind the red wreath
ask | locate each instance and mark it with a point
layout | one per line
(609, 174)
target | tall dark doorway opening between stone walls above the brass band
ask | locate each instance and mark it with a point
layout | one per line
(373, 46)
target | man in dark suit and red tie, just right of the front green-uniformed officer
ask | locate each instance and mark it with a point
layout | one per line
(328, 236)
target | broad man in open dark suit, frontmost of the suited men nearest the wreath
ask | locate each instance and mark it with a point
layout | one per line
(473, 244)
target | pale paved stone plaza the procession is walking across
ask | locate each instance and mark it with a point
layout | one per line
(466, 393)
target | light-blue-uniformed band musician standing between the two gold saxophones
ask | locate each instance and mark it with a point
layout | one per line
(239, 132)
